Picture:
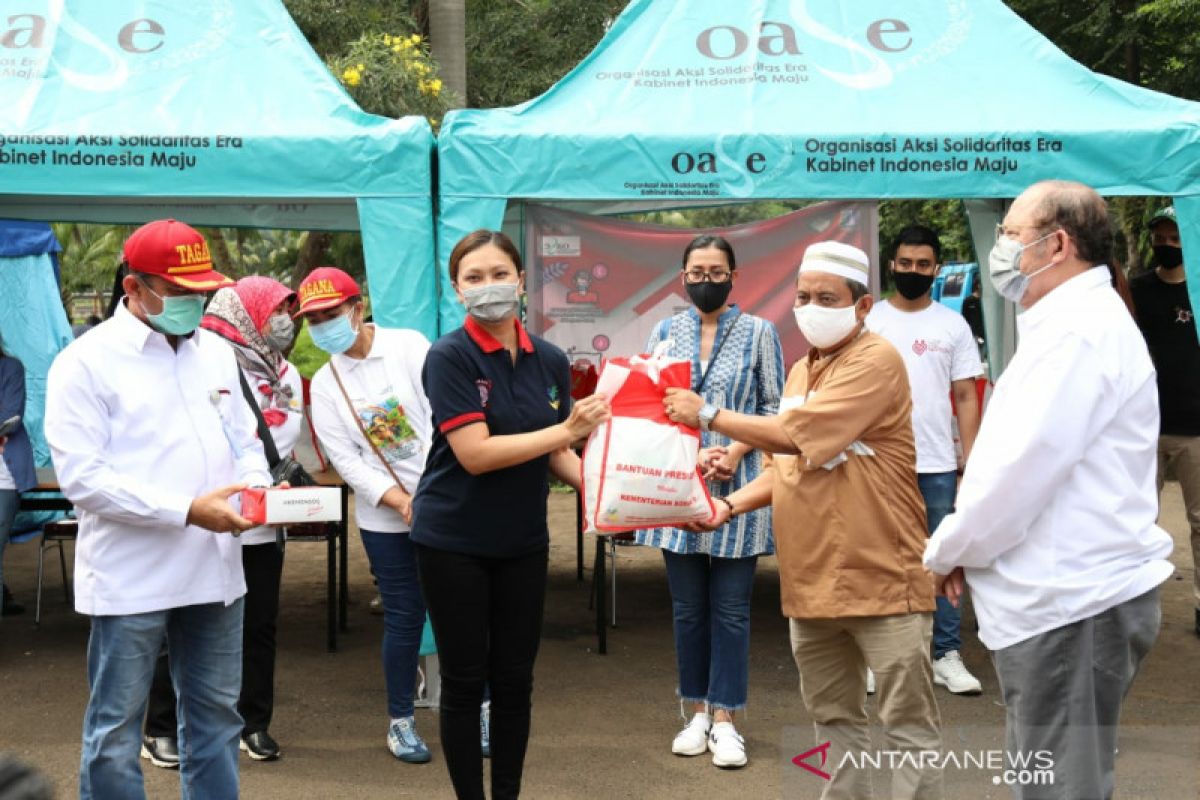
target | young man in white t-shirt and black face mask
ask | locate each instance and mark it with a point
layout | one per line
(943, 359)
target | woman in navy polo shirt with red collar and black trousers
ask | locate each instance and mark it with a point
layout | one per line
(503, 422)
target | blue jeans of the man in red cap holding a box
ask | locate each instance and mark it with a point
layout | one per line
(206, 665)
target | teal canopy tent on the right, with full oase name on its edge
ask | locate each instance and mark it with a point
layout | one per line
(715, 101)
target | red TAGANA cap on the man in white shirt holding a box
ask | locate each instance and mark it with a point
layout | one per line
(176, 252)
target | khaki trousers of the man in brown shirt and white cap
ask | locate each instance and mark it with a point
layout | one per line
(832, 657)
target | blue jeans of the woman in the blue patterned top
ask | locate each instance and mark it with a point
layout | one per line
(711, 601)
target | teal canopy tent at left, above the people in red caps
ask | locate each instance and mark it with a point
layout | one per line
(217, 113)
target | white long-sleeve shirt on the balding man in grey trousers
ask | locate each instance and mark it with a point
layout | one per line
(1057, 513)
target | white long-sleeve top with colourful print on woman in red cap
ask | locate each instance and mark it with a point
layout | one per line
(386, 390)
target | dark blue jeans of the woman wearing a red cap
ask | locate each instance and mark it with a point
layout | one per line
(394, 566)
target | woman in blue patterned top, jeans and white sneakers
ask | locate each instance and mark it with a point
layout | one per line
(736, 363)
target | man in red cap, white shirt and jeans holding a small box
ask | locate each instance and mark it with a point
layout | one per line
(152, 442)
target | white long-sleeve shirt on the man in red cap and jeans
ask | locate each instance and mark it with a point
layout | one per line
(137, 432)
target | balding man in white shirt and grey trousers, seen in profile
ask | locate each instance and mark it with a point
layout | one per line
(1055, 526)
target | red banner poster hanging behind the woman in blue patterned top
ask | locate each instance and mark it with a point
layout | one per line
(598, 286)
